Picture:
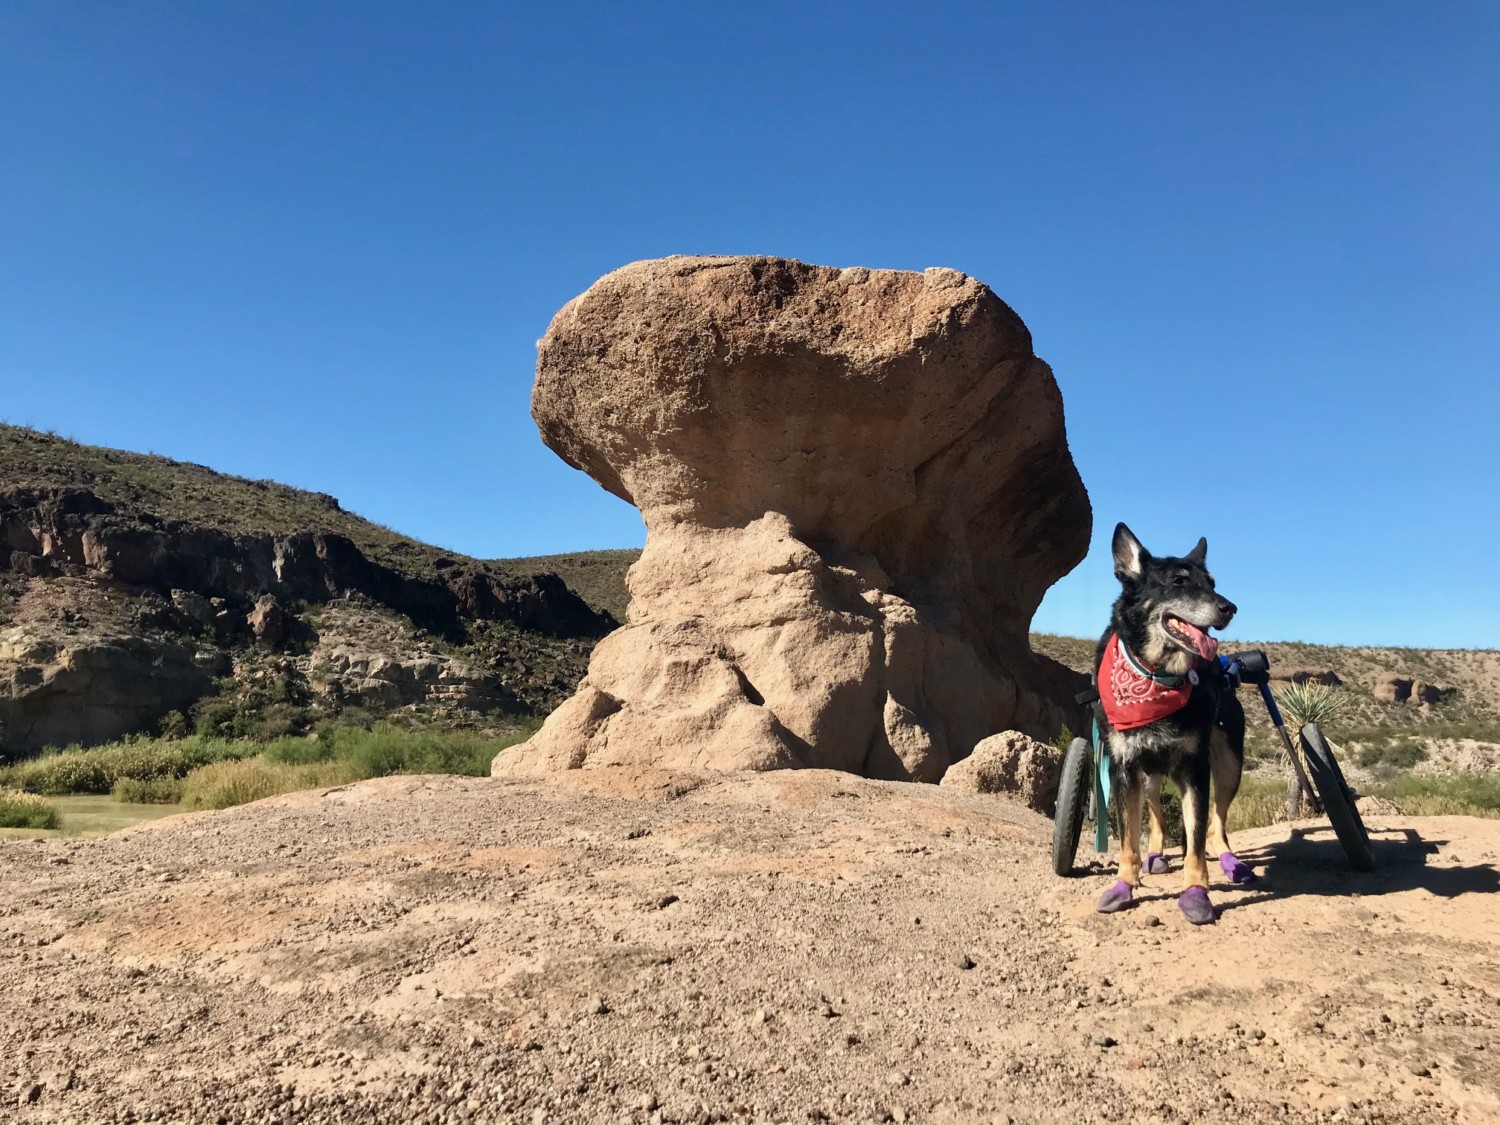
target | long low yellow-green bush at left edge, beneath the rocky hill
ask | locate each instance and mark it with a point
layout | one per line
(98, 770)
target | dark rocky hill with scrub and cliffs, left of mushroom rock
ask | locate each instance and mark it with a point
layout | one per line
(137, 590)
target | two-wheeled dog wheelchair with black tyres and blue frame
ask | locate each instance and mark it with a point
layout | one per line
(1082, 794)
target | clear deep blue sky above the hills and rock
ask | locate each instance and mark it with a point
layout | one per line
(1259, 245)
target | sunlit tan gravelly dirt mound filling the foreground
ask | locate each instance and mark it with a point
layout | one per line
(791, 947)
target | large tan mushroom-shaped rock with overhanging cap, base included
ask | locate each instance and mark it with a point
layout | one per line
(856, 487)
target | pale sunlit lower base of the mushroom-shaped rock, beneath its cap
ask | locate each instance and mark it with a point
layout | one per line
(749, 650)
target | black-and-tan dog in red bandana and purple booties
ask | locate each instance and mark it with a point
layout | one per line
(1169, 712)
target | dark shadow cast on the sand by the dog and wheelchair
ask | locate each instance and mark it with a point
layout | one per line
(1312, 862)
